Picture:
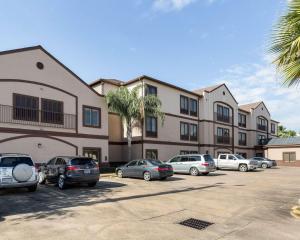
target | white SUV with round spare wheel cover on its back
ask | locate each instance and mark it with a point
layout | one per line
(17, 171)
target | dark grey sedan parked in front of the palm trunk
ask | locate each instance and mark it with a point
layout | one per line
(145, 168)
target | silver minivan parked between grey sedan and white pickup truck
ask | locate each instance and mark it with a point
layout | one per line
(193, 164)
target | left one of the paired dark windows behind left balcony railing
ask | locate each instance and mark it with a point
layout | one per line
(25, 108)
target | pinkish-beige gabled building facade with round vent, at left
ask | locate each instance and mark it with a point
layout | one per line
(46, 110)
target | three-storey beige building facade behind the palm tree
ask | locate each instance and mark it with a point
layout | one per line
(207, 120)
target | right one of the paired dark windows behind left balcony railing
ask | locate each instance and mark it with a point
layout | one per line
(52, 111)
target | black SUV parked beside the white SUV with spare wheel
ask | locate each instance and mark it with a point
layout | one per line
(66, 170)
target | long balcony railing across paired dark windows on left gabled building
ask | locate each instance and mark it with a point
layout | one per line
(34, 117)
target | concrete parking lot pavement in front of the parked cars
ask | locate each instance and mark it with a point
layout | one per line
(252, 205)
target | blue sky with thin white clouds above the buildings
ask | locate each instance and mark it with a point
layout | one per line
(189, 43)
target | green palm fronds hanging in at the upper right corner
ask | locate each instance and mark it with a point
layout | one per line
(286, 44)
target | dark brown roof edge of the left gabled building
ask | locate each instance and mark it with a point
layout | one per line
(39, 47)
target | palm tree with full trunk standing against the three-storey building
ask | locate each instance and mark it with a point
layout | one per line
(132, 108)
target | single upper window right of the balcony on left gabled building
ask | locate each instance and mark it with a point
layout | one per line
(91, 117)
